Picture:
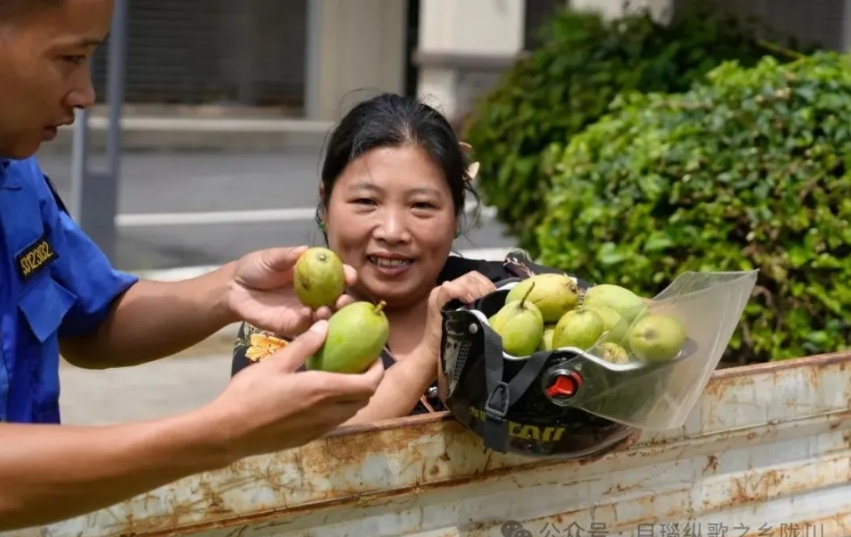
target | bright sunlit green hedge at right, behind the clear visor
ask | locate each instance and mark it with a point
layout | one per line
(750, 170)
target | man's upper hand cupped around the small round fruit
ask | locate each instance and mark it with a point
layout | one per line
(262, 292)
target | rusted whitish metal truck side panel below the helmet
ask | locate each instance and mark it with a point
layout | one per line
(765, 452)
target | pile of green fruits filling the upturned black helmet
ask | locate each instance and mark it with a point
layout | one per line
(550, 311)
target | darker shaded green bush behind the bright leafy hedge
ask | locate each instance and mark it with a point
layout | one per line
(568, 83)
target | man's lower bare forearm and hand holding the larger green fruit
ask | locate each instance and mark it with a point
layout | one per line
(50, 472)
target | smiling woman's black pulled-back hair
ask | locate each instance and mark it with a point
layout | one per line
(391, 120)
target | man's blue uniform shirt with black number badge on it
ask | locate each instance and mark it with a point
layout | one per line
(54, 282)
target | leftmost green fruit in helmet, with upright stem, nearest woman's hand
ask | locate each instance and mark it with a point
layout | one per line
(520, 324)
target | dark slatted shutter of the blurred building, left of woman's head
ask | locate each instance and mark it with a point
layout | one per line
(191, 52)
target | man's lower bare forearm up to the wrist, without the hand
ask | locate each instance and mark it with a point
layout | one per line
(52, 472)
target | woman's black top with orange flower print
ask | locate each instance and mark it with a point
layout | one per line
(253, 344)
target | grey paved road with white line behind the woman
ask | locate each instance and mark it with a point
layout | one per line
(192, 182)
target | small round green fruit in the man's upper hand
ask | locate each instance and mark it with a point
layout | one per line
(319, 279)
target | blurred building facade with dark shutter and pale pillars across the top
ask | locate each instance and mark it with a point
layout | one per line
(316, 58)
